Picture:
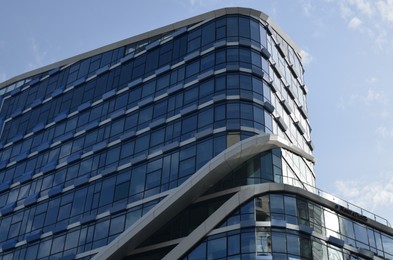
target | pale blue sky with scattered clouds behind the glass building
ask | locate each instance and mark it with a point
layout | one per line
(348, 56)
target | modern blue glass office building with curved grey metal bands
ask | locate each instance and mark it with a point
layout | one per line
(191, 141)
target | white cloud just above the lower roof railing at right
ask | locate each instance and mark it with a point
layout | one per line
(368, 194)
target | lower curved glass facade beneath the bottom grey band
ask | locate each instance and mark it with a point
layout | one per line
(286, 226)
